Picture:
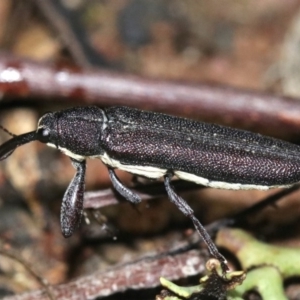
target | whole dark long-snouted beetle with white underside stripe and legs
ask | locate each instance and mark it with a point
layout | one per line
(156, 145)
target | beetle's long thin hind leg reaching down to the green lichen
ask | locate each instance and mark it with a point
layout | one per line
(188, 211)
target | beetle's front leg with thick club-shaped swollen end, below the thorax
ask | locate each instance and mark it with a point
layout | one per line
(72, 204)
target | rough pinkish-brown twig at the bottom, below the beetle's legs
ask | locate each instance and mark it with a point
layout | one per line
(141, 274)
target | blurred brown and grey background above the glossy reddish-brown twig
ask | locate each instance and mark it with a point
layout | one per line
(247, 44)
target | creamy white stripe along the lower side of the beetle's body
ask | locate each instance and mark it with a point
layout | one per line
(155, 173)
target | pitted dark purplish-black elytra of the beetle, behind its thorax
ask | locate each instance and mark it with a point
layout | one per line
(214, 152)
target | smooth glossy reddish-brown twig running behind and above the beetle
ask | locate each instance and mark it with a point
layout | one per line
(273, 115)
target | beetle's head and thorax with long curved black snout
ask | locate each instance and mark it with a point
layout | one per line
(75, 131)
